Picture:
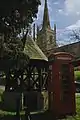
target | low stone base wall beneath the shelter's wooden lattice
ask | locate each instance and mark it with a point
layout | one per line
(33, 100)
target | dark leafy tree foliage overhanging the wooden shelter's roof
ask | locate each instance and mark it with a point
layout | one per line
(15, 17)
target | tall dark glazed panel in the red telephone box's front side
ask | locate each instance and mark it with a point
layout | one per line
(65, 82)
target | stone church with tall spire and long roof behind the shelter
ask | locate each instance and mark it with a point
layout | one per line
(46, 38)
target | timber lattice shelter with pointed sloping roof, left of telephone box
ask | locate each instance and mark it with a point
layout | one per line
(31, 81)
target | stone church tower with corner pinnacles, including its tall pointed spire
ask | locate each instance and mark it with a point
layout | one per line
(46, 37)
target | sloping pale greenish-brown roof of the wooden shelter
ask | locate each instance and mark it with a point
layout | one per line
(33, 51)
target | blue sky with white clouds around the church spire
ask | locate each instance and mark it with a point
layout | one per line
(66, 15)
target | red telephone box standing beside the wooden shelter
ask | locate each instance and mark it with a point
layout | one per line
(61, 84)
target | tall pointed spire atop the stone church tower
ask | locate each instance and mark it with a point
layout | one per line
(46, 22)
